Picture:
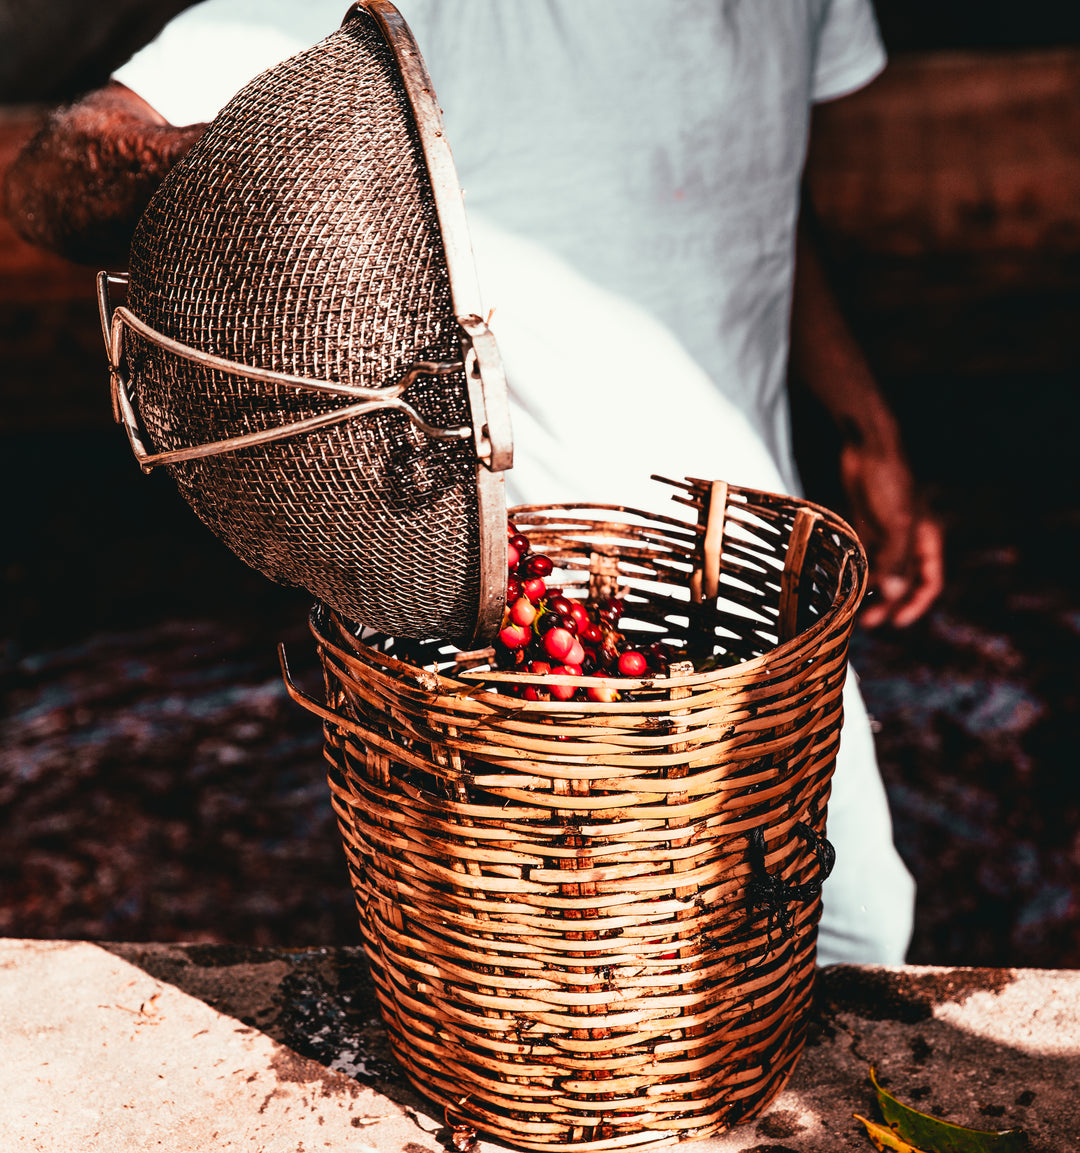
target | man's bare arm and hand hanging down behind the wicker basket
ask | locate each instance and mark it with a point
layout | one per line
(903, 541)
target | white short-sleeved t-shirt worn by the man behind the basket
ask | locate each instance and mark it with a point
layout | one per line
(637, 162)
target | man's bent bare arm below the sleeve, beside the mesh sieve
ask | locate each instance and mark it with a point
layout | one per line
(81, 185)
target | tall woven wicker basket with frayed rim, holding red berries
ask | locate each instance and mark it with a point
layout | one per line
(595, 925)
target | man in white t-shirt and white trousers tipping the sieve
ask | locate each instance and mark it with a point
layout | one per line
(632, 168)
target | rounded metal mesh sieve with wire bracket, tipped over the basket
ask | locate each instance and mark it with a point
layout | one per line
(301, 343)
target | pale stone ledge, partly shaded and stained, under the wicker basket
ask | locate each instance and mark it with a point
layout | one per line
(145, 1048)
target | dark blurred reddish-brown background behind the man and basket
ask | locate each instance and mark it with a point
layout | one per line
(156, 782)
